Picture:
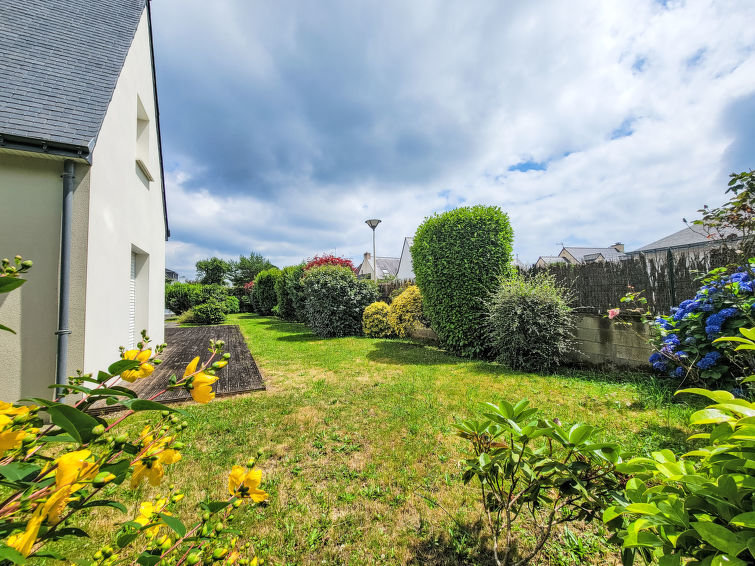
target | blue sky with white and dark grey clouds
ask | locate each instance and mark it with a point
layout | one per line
(285, 125)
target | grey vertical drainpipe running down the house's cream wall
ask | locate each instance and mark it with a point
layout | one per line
(65, 275)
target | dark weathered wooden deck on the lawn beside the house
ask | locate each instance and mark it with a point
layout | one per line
(184, 344)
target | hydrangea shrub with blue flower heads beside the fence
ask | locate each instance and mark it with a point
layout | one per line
(684, 339)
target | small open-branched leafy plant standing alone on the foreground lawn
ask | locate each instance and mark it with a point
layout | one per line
(531, 466)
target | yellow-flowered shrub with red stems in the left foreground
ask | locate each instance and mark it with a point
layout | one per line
(57, 460)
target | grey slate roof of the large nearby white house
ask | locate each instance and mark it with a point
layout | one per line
(59, 64)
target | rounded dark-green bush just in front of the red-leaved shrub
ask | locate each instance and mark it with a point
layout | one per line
(335, 300)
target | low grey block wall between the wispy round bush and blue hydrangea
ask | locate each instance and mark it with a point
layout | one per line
(599, 341)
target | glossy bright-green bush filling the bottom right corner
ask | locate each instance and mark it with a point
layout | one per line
(697, 506)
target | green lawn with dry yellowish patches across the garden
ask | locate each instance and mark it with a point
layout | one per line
(359, 453)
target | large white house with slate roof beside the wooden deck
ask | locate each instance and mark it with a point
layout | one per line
(81, 187)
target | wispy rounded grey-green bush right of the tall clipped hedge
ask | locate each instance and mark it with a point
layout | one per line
(530, 322)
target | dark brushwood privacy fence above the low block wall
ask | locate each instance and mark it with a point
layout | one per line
(667, 280)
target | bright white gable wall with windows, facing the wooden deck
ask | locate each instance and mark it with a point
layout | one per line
(126, 215)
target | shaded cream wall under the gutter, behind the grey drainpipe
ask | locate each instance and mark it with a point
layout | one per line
(31, 192)
